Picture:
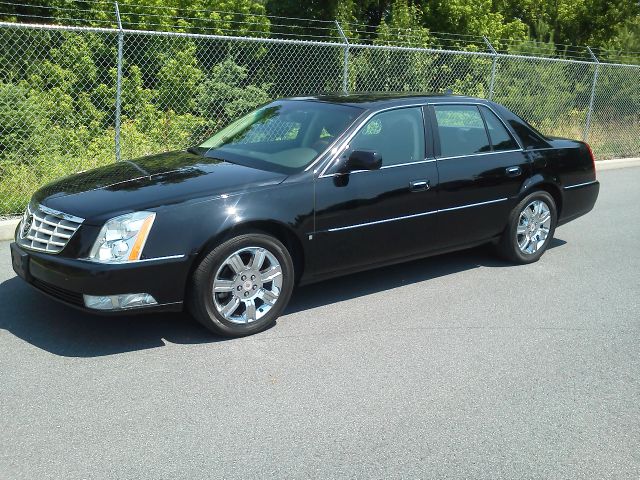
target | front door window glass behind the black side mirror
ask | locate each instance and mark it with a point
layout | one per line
(397, 135)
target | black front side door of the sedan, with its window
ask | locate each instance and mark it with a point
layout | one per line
(370, 217)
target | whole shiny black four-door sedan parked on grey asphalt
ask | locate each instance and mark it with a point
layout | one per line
(297, 191)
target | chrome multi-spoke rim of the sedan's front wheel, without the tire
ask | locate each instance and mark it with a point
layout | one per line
(247, 285)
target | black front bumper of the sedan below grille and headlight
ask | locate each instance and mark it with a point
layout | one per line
(67, 280)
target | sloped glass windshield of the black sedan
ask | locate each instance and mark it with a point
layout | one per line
(284, 136)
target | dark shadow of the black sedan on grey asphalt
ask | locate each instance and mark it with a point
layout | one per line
(64, 331)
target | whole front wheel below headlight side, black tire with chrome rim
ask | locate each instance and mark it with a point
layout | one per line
(241, 286)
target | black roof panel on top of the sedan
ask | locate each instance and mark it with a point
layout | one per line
(376, 101)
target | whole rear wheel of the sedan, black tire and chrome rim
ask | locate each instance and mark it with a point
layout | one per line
(530, 229)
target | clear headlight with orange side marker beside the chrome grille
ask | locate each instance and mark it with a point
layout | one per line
(122, 238)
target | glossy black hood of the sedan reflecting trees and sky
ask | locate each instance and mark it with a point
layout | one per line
(149, 182)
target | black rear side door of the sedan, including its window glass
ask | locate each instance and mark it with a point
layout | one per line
(481, 168)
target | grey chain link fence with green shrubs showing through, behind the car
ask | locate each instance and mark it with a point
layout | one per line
(73, 98)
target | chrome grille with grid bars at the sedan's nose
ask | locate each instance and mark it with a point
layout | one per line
(46, 230)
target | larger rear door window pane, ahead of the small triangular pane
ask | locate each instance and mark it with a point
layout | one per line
(461, 130)
